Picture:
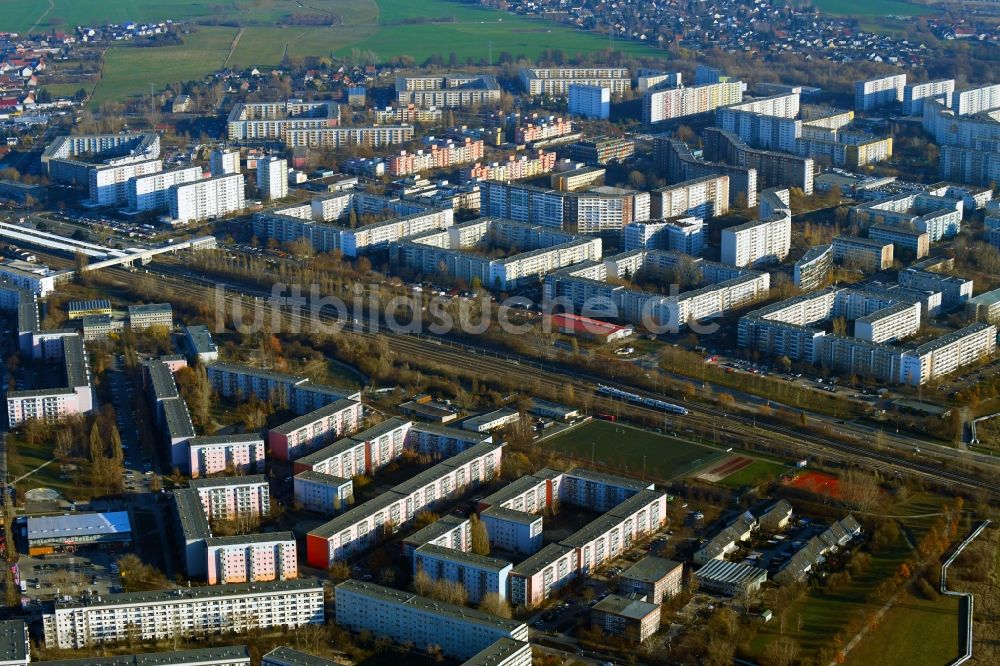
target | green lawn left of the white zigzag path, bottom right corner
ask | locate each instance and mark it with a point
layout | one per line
(916, 632)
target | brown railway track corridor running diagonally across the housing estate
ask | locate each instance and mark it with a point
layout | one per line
(702, 416)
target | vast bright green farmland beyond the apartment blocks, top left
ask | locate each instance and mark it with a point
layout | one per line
(385, 28)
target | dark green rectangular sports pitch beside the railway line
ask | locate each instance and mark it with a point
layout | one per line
(624, 447)
